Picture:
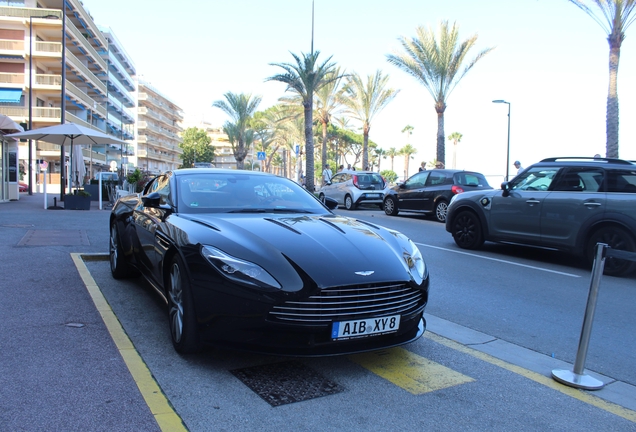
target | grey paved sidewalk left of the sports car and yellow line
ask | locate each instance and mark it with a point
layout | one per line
(59, 367)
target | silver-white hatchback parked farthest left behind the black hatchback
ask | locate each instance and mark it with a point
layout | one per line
(352, 189)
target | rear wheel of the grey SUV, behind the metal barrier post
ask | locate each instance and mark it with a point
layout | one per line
(616, 238)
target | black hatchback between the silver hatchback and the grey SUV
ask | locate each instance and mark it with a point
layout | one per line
(431, 191)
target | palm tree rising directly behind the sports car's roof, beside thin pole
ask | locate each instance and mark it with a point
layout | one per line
(304, 78)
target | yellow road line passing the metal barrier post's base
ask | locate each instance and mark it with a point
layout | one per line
(581, 395)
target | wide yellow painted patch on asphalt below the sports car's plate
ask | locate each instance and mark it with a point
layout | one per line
(410, 371)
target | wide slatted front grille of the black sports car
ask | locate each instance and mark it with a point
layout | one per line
(349, 303)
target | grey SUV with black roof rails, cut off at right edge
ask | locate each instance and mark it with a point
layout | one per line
(568, 204)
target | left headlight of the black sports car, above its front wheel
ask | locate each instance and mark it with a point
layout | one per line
(239, 270)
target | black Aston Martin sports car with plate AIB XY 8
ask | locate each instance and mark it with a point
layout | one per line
(253, 261)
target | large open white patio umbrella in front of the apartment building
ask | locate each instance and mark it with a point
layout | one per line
(69, 134)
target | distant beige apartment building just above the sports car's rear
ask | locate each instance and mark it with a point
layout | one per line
(158, 131)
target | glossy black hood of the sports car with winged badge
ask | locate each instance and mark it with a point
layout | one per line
(330, 249)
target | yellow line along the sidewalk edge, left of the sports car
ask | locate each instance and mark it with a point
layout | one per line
(165, 416)
